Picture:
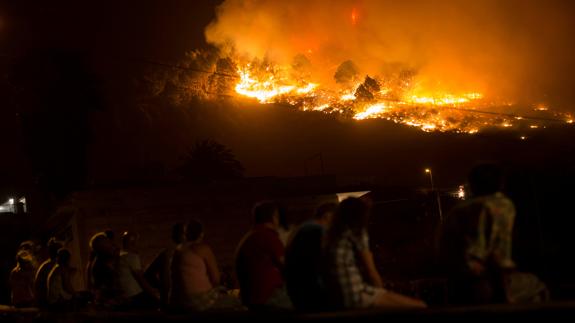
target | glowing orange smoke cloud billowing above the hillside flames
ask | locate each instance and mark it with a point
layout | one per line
(518, 49)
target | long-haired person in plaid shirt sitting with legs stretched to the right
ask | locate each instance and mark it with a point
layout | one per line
(351, 276)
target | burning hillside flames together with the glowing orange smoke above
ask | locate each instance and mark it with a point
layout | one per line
(418, 63)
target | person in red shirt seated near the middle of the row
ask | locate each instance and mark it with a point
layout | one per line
(260, 262)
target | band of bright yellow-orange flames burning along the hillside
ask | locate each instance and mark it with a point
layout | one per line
(397, 100)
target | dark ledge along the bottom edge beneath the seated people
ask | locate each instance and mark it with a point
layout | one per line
(549, 312)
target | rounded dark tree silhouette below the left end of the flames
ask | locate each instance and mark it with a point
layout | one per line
(209, 160)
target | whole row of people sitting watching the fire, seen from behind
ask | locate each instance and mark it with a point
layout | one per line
(324, 264)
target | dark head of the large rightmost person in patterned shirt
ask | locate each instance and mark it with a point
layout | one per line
(485, 179)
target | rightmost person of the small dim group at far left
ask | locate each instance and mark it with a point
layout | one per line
(60, 291)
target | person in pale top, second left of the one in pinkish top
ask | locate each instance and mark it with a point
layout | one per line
(133, 286)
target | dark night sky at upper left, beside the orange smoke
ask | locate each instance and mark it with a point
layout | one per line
(162, 30)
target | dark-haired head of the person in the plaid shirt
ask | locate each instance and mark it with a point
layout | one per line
(352, 214)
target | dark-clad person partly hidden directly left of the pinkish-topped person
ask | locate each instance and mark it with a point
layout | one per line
(158, 273)
